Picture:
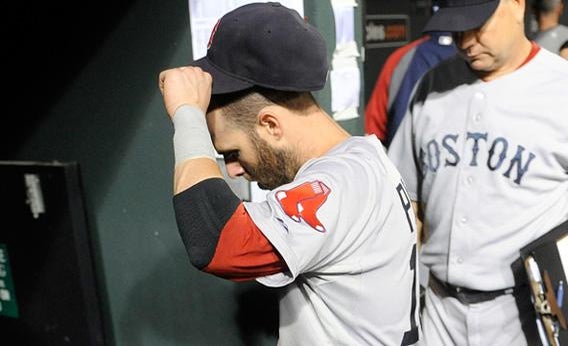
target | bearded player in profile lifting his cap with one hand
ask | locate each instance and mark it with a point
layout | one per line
(336, 231)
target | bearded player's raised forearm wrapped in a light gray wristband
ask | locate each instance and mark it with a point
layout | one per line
(193, 149)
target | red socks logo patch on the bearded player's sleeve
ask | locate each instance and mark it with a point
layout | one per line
(303, 201)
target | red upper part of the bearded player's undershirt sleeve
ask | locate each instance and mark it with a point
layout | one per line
(243, 252)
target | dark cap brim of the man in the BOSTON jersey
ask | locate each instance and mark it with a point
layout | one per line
(461, 18)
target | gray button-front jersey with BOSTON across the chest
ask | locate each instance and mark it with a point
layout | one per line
(489, 163)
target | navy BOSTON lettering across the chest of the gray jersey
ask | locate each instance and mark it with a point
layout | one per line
(497, 154)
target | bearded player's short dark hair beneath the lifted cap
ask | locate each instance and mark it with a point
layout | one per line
(242, 107)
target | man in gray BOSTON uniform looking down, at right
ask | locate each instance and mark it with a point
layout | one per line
(484, 151)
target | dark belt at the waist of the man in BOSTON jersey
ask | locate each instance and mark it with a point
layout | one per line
(465, 295)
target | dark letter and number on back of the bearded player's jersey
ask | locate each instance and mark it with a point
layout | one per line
(410, 336)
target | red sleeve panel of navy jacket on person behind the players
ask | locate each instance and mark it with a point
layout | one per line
(377, 106)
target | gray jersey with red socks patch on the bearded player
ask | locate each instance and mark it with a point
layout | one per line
(345, 229)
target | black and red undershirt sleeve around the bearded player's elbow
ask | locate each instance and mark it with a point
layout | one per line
(218, 234)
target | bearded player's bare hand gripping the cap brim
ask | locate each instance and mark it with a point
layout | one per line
(186, 85)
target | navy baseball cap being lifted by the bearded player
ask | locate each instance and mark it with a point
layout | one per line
(267, 45)
